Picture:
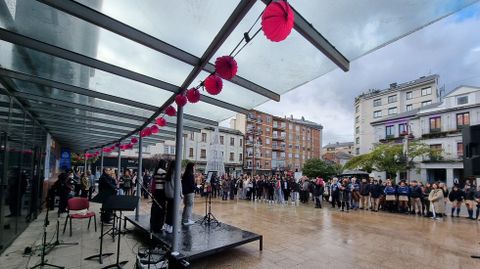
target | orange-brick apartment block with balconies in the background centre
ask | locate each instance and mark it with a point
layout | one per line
(274, 144)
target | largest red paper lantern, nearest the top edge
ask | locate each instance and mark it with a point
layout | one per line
(277, 21)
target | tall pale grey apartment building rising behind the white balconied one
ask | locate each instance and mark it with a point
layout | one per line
(375, 105)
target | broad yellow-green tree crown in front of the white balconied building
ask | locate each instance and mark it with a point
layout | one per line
(390, 157)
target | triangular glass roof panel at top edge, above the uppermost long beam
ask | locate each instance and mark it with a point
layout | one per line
(188, 25)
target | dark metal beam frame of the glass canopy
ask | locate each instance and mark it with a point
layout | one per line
(57, 106)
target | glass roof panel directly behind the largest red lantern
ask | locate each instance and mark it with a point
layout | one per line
(278, 66)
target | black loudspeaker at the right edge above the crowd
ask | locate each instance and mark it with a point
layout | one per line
(471, 150)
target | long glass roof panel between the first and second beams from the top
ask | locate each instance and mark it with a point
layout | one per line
(51, 26)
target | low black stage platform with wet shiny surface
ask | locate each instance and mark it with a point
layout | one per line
(198, 240)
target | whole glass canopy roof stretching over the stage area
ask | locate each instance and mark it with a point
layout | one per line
(111, 65)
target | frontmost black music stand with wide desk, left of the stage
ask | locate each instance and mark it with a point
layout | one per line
(120, 203)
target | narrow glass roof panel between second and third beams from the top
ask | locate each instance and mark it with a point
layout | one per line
(57, 69)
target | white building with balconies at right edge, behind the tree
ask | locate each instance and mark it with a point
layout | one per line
(440, 126)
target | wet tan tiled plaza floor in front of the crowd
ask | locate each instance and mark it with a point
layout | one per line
(294, 237)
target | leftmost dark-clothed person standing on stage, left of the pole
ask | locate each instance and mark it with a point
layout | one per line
(157, 213)
